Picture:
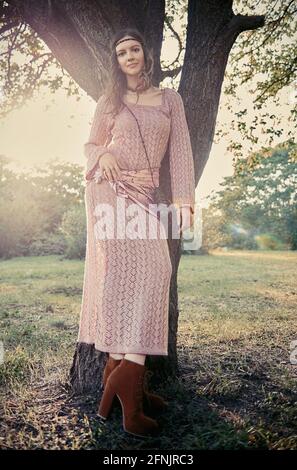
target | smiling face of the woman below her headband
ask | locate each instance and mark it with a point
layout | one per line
(130, 52)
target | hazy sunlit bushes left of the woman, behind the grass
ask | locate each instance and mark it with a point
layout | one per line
(32, 207)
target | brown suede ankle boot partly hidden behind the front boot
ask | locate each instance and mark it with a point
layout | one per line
(152, 403)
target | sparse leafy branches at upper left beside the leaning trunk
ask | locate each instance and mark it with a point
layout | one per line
(27, 65)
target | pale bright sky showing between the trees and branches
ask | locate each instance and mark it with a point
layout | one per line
(57, 126)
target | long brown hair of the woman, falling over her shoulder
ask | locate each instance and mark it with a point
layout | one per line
(116, 85)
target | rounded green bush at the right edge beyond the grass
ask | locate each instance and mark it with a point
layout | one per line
(257, 207)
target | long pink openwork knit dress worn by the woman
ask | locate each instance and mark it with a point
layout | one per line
(125, 298)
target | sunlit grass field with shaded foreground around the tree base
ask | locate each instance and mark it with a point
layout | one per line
(237, 388)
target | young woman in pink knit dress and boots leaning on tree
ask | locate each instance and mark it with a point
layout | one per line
(126, 283)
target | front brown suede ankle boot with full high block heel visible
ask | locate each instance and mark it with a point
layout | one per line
(126, 382)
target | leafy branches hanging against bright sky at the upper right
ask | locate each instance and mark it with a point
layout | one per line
(263, 61)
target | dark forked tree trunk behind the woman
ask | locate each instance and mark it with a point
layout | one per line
(78, 33)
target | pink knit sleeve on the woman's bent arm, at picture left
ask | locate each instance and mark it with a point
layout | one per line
(95, 147)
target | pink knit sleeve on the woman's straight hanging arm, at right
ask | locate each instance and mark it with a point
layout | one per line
(180, 154)
